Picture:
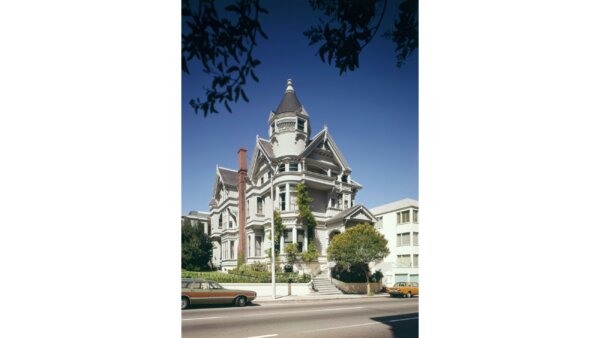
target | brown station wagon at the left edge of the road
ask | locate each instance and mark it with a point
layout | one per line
(200, 291)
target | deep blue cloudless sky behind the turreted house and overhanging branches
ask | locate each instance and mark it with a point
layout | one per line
(371, 113)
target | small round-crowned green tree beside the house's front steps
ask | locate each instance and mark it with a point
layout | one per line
(358, 246)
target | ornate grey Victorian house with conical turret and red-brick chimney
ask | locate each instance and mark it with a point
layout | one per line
(242, 199)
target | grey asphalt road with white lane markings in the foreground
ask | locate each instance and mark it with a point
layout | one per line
(363, 317)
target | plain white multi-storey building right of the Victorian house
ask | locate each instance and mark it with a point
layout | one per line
(399, 223)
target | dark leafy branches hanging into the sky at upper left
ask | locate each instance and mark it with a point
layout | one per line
(223, 46)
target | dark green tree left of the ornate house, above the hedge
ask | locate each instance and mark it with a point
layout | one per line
(196, 247)
